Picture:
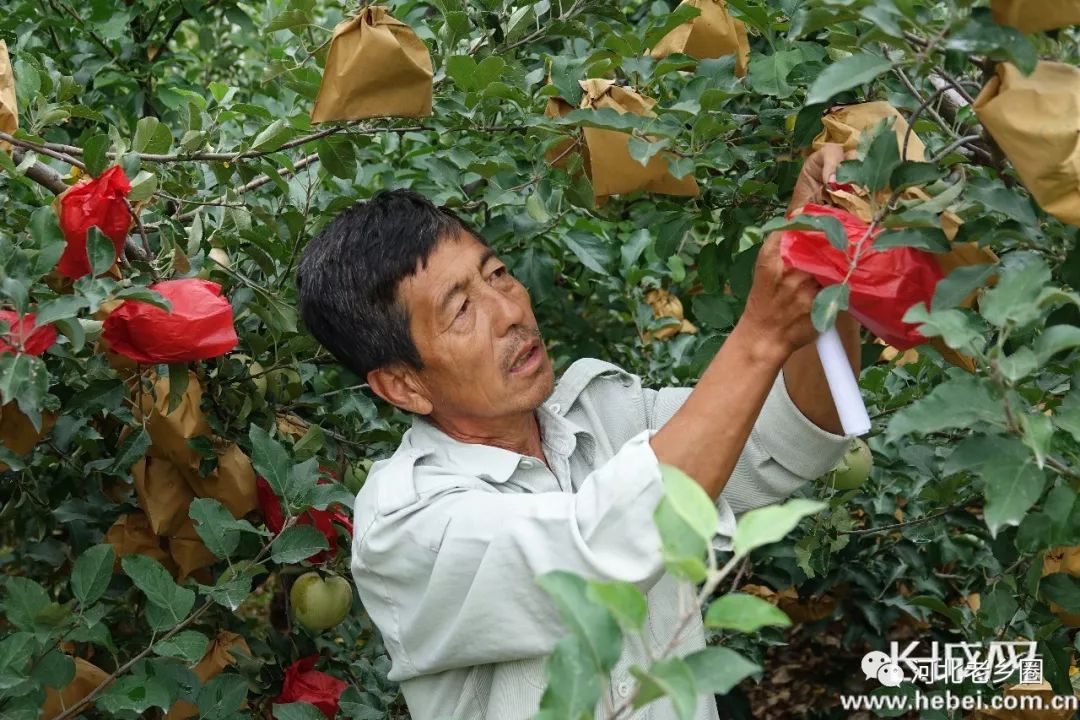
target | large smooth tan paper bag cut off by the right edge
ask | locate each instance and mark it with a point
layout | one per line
(1036, 121)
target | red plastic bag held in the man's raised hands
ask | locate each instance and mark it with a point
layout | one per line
(885, 283)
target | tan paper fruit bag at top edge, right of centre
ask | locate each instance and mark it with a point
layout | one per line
(712, 34)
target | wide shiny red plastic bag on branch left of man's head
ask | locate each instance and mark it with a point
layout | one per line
(199, 327)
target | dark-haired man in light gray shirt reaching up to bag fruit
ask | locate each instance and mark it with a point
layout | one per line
(506, 476)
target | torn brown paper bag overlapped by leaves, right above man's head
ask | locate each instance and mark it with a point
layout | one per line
(607, 159)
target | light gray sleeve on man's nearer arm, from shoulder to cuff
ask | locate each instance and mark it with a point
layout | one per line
(452, 578)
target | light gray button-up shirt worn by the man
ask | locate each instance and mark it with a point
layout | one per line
(450, 537)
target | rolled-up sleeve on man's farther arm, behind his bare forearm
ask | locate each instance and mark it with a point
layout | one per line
(785, 451)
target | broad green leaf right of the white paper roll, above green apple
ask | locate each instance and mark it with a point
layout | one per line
(960, 403)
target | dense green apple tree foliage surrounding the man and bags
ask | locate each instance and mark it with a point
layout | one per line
(207, 104)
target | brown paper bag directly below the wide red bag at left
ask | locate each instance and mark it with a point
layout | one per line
(170, 432)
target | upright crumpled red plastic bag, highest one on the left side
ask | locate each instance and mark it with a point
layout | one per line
(99, 202)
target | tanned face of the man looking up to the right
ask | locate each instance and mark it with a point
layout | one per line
(470, 321)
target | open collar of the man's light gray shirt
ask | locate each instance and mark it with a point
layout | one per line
(488, 461)
